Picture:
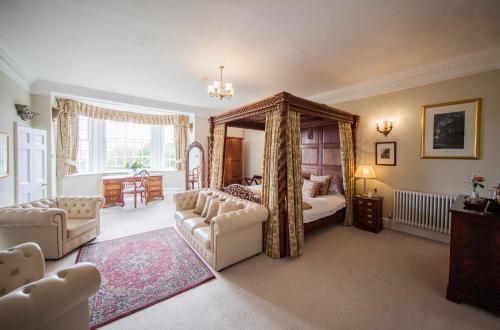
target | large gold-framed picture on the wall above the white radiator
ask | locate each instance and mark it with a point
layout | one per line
(451, 130)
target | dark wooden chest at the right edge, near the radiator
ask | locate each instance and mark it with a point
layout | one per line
(474, 257)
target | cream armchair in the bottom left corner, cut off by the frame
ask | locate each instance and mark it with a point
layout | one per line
(28, 300)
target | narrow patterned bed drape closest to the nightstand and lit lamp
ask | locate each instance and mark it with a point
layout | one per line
(347, 157)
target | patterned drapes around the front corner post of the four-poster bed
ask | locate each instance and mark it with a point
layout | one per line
(286, 239)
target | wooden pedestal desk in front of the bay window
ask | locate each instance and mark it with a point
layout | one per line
(112, 187)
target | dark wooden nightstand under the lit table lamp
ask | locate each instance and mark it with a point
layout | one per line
(368, 213)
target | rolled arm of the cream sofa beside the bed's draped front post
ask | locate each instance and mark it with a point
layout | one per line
(234, 220)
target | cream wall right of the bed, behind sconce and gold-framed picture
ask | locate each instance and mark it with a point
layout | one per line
(428, 175)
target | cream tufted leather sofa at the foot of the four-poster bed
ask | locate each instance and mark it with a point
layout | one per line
(229, 238)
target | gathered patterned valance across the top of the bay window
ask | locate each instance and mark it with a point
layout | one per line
(92, 111)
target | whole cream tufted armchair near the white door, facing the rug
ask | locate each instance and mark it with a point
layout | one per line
(57, 225)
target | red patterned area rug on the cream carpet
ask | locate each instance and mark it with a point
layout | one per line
(139, 271)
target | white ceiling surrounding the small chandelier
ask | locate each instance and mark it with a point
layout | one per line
(161, 49)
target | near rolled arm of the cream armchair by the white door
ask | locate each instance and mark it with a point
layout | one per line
(31, 217)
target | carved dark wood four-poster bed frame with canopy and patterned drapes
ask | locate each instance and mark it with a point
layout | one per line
(301, 138)
